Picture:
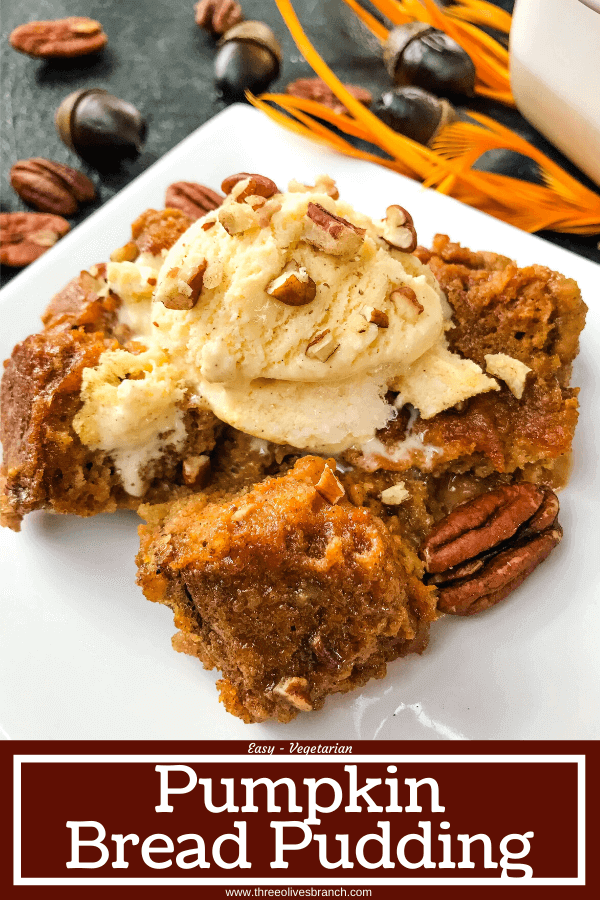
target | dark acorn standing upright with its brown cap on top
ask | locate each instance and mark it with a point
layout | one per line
(249, 59)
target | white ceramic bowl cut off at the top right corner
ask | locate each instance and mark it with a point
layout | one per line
(555, 74)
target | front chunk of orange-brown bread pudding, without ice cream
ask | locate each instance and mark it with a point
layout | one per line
(288, 589)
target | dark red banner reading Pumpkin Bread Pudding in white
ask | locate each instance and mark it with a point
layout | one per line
(298, 815)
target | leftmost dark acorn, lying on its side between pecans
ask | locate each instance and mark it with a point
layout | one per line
(99, 126)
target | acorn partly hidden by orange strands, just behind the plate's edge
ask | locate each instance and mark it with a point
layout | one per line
(415, 113)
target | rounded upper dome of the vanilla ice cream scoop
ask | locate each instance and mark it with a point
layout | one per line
(238, 332)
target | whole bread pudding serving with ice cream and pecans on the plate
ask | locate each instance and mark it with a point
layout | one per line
(333, 434)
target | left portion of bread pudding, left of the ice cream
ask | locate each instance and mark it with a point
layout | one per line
(45, 464)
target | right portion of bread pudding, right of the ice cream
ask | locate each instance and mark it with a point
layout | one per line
(532, 315)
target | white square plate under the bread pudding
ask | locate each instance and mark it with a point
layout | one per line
(84, 655)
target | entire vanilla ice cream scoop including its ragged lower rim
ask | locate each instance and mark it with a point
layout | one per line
(313, 375)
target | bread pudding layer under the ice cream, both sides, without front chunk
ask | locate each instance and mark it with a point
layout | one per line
(532, 316)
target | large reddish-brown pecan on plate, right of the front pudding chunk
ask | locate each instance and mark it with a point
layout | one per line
(486, 547)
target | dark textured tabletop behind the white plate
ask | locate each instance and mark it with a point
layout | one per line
(158, 59)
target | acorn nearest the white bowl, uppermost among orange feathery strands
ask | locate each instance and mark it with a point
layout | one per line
(418, 54)
